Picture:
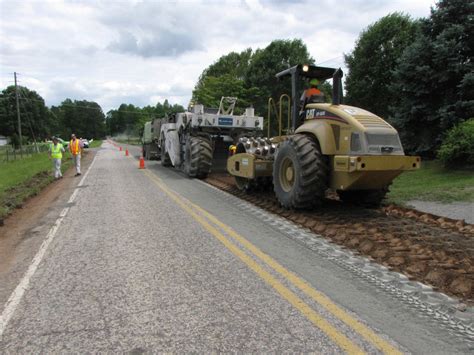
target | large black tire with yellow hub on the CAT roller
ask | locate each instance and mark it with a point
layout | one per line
(300, 173)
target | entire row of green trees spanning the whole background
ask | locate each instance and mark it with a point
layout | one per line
(415, 73)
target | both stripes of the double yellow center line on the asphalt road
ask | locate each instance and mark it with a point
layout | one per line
(209, 222)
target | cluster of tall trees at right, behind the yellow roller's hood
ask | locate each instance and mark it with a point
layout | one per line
(418, 74)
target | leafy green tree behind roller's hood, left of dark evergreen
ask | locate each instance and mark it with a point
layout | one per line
(373, 59)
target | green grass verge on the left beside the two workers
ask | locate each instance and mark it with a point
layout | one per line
(21, 179)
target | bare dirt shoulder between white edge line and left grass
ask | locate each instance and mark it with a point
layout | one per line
(25, 229)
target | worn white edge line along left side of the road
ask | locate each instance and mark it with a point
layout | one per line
(17, 294)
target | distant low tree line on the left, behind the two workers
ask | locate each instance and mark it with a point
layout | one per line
(84, 118)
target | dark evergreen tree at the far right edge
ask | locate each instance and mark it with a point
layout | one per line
(434, 79)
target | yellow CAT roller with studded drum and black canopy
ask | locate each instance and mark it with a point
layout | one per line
(326, 146)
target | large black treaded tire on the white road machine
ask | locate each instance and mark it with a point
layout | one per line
(197, 157)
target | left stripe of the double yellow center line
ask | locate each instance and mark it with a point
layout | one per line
(340, 339)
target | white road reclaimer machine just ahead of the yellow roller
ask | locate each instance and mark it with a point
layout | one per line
(197, 140)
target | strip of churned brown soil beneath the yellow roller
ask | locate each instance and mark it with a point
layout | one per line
(436, 251)
